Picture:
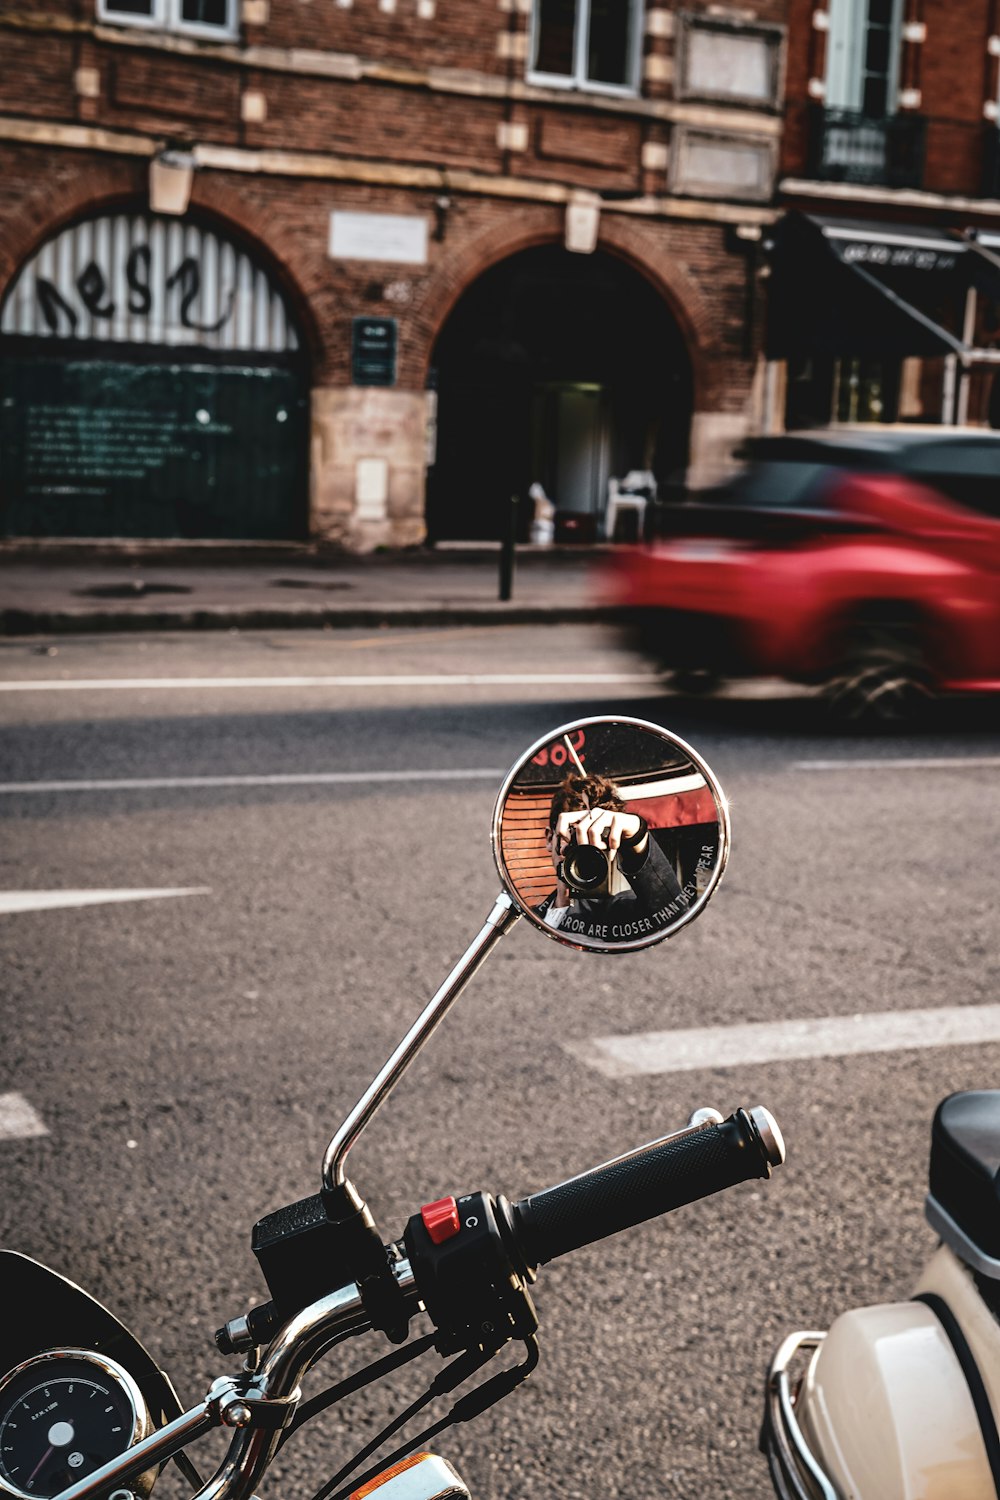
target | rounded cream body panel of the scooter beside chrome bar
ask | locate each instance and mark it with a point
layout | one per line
(887, 1412)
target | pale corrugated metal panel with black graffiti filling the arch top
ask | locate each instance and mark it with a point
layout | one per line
(140, 280)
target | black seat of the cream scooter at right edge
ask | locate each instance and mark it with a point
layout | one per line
(965, 1166)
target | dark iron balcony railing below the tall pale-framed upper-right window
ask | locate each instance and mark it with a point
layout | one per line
(851, 148)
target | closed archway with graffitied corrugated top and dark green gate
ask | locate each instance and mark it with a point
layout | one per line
(152, 385)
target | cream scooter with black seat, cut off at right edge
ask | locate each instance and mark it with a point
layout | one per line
(902, 1400)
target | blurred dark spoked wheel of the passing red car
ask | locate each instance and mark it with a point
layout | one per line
(882, 682)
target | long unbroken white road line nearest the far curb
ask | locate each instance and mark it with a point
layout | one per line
(385, 680)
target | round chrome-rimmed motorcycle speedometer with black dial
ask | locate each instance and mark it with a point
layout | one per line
(64, 1415)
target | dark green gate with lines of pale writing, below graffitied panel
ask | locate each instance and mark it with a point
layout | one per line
(115, 449)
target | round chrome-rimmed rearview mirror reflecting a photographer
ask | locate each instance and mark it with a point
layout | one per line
(611, 835)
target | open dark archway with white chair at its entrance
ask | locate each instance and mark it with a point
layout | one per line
(561, 370)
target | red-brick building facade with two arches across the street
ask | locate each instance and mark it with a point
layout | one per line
(362, 269)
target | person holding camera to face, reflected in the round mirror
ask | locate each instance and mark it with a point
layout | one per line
(614, 881)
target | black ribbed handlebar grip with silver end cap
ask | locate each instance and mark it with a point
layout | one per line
(645, 1183)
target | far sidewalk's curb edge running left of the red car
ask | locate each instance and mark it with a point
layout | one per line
(86, 622)
